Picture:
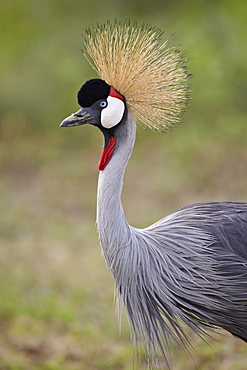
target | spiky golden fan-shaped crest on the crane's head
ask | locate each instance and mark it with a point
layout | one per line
(149, 72)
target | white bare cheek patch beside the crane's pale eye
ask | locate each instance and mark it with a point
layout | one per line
(113, 113)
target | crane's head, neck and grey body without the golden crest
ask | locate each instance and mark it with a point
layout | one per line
(190, 267)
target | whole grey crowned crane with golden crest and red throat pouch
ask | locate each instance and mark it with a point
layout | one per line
(189, 269)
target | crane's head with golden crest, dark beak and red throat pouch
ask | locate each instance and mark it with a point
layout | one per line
(148, 75)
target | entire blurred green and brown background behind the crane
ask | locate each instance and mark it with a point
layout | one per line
(56, 295)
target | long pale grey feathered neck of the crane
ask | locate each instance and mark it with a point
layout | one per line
(113, 228)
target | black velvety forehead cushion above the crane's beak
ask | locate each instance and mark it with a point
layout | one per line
(92, 91)
